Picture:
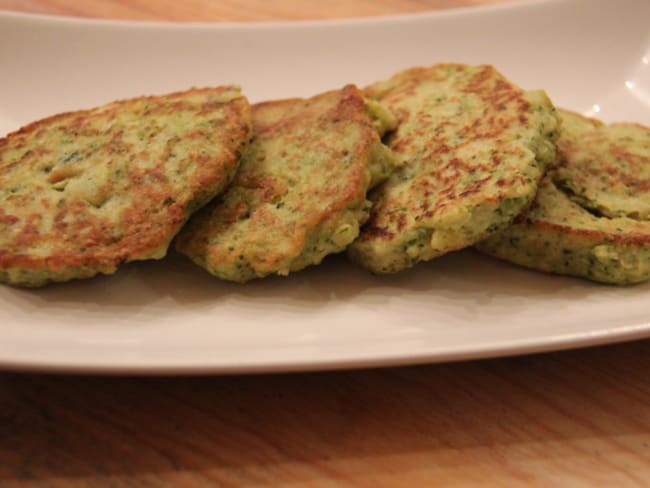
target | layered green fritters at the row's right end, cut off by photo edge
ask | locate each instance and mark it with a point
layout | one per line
(590, 217)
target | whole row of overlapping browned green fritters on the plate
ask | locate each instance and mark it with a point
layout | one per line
(468, 159)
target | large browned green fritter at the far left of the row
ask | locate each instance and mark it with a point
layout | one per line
(83, 192)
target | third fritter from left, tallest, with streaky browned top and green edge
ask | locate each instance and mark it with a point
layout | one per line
(473, 147)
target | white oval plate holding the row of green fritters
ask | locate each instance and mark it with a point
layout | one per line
(171, 317)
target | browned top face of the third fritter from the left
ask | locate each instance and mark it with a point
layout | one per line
(440, 186)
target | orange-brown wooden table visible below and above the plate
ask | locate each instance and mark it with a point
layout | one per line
(569, 418)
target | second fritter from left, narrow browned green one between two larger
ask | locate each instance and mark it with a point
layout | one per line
(300, 193)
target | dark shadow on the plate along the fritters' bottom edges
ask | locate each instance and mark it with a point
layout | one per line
(463, 276)
